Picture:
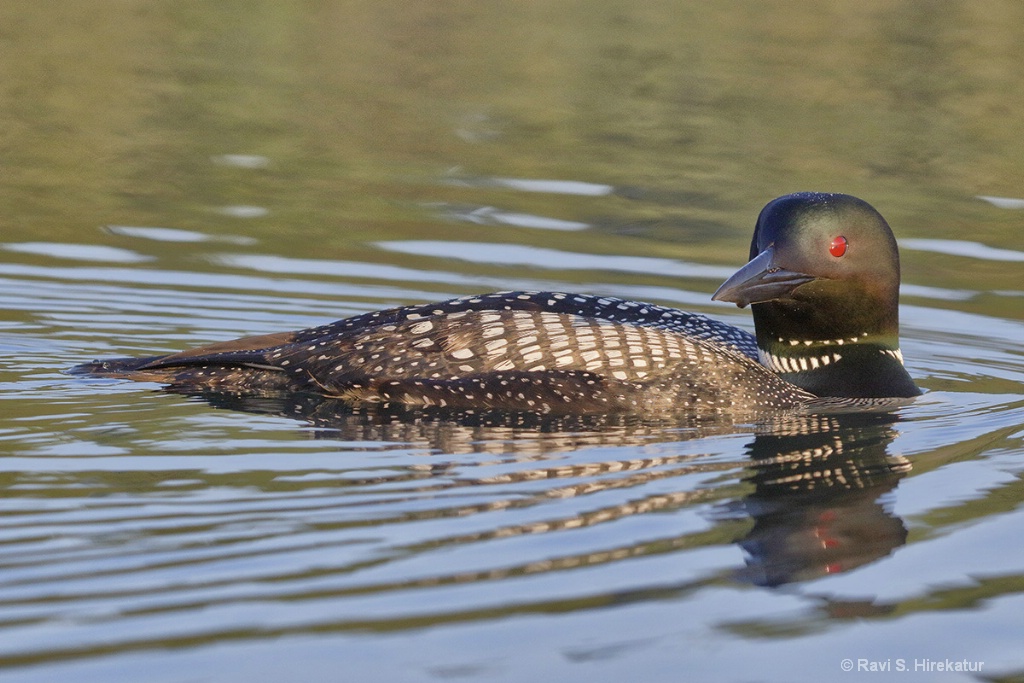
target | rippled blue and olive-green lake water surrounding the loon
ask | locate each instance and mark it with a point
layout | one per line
(175, 175)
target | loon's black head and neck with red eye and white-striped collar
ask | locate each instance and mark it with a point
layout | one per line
(824, 281)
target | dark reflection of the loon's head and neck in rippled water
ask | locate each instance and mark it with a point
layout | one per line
(816, 505)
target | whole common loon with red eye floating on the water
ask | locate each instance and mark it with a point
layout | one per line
(823, 281)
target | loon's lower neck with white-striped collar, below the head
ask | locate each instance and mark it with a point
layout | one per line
(857, 367)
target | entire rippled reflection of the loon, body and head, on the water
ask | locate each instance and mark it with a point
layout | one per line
(815, 486)
